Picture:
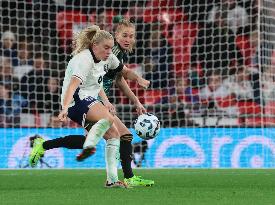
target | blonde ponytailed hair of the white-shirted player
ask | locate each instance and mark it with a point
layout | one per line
(88, 36)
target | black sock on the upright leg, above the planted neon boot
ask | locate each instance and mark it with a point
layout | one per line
(126, 155)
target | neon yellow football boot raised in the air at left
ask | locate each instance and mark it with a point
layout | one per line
(37, 151)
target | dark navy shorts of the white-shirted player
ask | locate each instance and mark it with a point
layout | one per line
(78, 112)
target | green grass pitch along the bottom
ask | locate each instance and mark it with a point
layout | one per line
(173, 186)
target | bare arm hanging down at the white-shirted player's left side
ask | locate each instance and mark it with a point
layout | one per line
(68, 97)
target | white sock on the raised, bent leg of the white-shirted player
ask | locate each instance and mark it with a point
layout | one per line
(96, 133)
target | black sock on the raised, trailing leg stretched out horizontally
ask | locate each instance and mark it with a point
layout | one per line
(70, 142)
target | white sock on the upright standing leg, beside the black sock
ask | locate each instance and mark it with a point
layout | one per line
(112, 159)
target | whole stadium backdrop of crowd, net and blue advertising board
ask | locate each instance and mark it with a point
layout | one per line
(211, 64)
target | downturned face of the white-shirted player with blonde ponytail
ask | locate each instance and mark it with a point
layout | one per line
(103, 49)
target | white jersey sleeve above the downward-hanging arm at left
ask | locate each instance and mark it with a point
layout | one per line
(81, 68)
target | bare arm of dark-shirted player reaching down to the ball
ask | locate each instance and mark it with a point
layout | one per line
(124, 87)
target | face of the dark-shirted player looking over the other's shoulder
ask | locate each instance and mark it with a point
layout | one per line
(125, 37)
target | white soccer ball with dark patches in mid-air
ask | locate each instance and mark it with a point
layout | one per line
(147, 126)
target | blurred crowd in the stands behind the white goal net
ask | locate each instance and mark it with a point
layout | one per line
(200, 55)
